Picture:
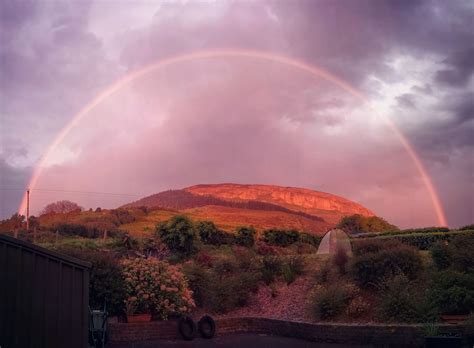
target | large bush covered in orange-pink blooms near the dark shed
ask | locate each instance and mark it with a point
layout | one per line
(156, 286)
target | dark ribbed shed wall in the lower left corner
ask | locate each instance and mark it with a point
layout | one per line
(43, 297)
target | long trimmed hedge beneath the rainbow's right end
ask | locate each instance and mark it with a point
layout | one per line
(422, 241)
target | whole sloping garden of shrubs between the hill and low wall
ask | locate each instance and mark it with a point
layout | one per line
(185, 267)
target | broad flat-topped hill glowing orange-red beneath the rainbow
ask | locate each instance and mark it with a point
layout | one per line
(262, 206)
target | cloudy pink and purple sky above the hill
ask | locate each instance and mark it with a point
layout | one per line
(239, 119)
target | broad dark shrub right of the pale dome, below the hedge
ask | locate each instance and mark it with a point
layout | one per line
(373, 267)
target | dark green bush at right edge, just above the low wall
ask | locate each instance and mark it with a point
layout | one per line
(452, 292)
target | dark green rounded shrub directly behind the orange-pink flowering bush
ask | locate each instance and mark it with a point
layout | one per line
(178, 234)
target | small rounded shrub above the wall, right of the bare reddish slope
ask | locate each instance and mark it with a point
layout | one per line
(331, 300)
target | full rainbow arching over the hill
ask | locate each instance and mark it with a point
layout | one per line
(232, 53)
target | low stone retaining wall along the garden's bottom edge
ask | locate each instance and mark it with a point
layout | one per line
(373, 334)
